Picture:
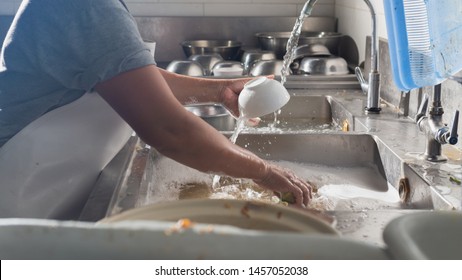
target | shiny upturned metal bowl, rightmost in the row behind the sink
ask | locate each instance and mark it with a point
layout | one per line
(331, 65)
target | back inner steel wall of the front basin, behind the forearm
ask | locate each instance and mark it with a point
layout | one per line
(330, 149)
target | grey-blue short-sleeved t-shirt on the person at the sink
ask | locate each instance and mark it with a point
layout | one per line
(56, 50)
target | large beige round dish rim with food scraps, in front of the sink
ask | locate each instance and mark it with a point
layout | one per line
(239, 213)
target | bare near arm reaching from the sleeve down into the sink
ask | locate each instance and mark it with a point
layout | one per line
(144, 99)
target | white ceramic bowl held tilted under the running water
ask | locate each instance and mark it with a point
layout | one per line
(262, 96)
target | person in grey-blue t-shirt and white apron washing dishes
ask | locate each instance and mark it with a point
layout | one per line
(56, 55)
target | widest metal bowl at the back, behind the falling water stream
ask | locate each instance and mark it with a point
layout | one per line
(277, 41)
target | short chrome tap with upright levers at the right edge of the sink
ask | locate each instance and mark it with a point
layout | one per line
(436, 132)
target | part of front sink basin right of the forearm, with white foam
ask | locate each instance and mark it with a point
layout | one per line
(347, 169)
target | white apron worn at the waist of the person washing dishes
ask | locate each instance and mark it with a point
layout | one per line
(48, 169)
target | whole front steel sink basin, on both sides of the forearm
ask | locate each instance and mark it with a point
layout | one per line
(347, 170)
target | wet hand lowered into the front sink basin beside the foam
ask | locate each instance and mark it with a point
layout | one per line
(285, 181)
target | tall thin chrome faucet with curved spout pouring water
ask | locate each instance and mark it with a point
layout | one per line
(371, 88)
